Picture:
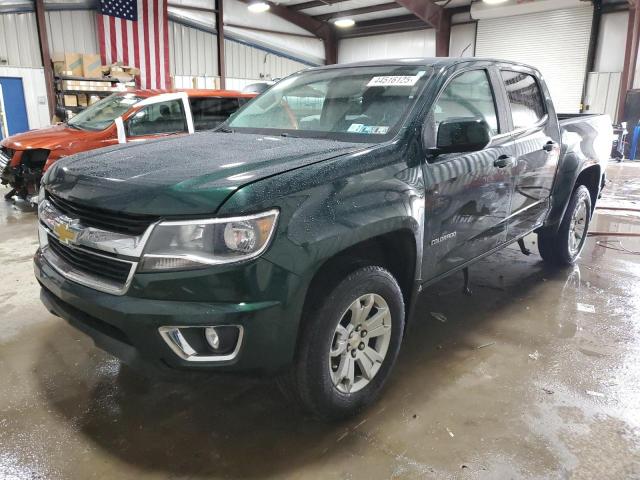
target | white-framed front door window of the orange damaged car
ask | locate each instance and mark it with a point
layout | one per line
(158, 118)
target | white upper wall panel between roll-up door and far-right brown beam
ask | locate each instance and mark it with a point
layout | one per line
(611, 41)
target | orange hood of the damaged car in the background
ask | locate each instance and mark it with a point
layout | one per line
(51, 138)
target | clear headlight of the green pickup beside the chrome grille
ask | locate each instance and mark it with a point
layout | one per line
(197, 243)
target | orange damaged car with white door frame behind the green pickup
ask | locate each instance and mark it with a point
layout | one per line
(130, 116)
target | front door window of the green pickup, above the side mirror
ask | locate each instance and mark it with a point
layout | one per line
(468, 96)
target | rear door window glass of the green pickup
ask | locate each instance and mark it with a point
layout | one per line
(525, 98)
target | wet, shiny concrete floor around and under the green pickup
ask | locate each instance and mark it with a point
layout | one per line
(537, 375)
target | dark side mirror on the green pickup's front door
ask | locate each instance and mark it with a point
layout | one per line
(462, 135)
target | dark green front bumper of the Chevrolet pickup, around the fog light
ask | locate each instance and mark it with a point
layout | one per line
(128, 326)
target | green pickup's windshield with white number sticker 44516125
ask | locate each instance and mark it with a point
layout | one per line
(352, 104)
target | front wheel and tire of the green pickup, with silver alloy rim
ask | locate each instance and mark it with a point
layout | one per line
(333, 328)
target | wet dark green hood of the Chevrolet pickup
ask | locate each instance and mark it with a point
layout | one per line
(187, 175)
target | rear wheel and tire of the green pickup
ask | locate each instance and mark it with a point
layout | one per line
(563, 246)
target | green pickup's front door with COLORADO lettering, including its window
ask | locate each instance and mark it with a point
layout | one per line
(468, 195)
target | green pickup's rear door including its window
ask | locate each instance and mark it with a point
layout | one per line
(535, 131)
